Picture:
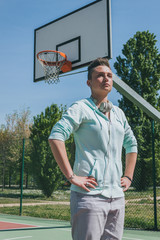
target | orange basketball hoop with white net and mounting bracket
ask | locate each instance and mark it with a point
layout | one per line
(53, 62)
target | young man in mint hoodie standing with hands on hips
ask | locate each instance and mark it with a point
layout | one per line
(100, 131)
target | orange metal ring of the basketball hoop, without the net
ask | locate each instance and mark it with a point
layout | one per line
(52, 63)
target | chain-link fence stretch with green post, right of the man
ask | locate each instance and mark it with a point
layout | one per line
(143, 198)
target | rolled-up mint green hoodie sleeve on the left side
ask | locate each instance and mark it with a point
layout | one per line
(68, 124)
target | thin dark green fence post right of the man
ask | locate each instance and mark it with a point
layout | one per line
(154, 176)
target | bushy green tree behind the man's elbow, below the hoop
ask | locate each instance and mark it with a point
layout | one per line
(46, 170)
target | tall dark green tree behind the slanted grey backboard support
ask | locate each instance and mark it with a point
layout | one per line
(139, 67)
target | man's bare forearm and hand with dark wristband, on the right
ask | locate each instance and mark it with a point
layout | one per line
(129, 170)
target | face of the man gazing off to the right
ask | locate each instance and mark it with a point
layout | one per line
(101, 82)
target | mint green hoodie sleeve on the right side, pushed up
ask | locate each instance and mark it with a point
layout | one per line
(130, 142)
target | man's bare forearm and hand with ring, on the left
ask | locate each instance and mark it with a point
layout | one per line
(59, 152)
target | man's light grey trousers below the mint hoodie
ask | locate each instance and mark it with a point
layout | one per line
(94, 217)
